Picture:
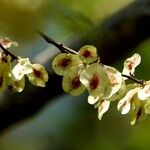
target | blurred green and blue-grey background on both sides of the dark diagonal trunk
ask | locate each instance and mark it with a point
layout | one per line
(68, 123)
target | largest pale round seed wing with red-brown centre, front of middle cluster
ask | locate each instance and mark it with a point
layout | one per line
(95, 79)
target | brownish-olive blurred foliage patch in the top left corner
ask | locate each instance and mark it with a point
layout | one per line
(20, 18)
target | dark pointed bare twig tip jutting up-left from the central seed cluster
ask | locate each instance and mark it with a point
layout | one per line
(60, 46)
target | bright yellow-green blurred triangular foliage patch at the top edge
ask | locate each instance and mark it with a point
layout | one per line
(97, 9)
